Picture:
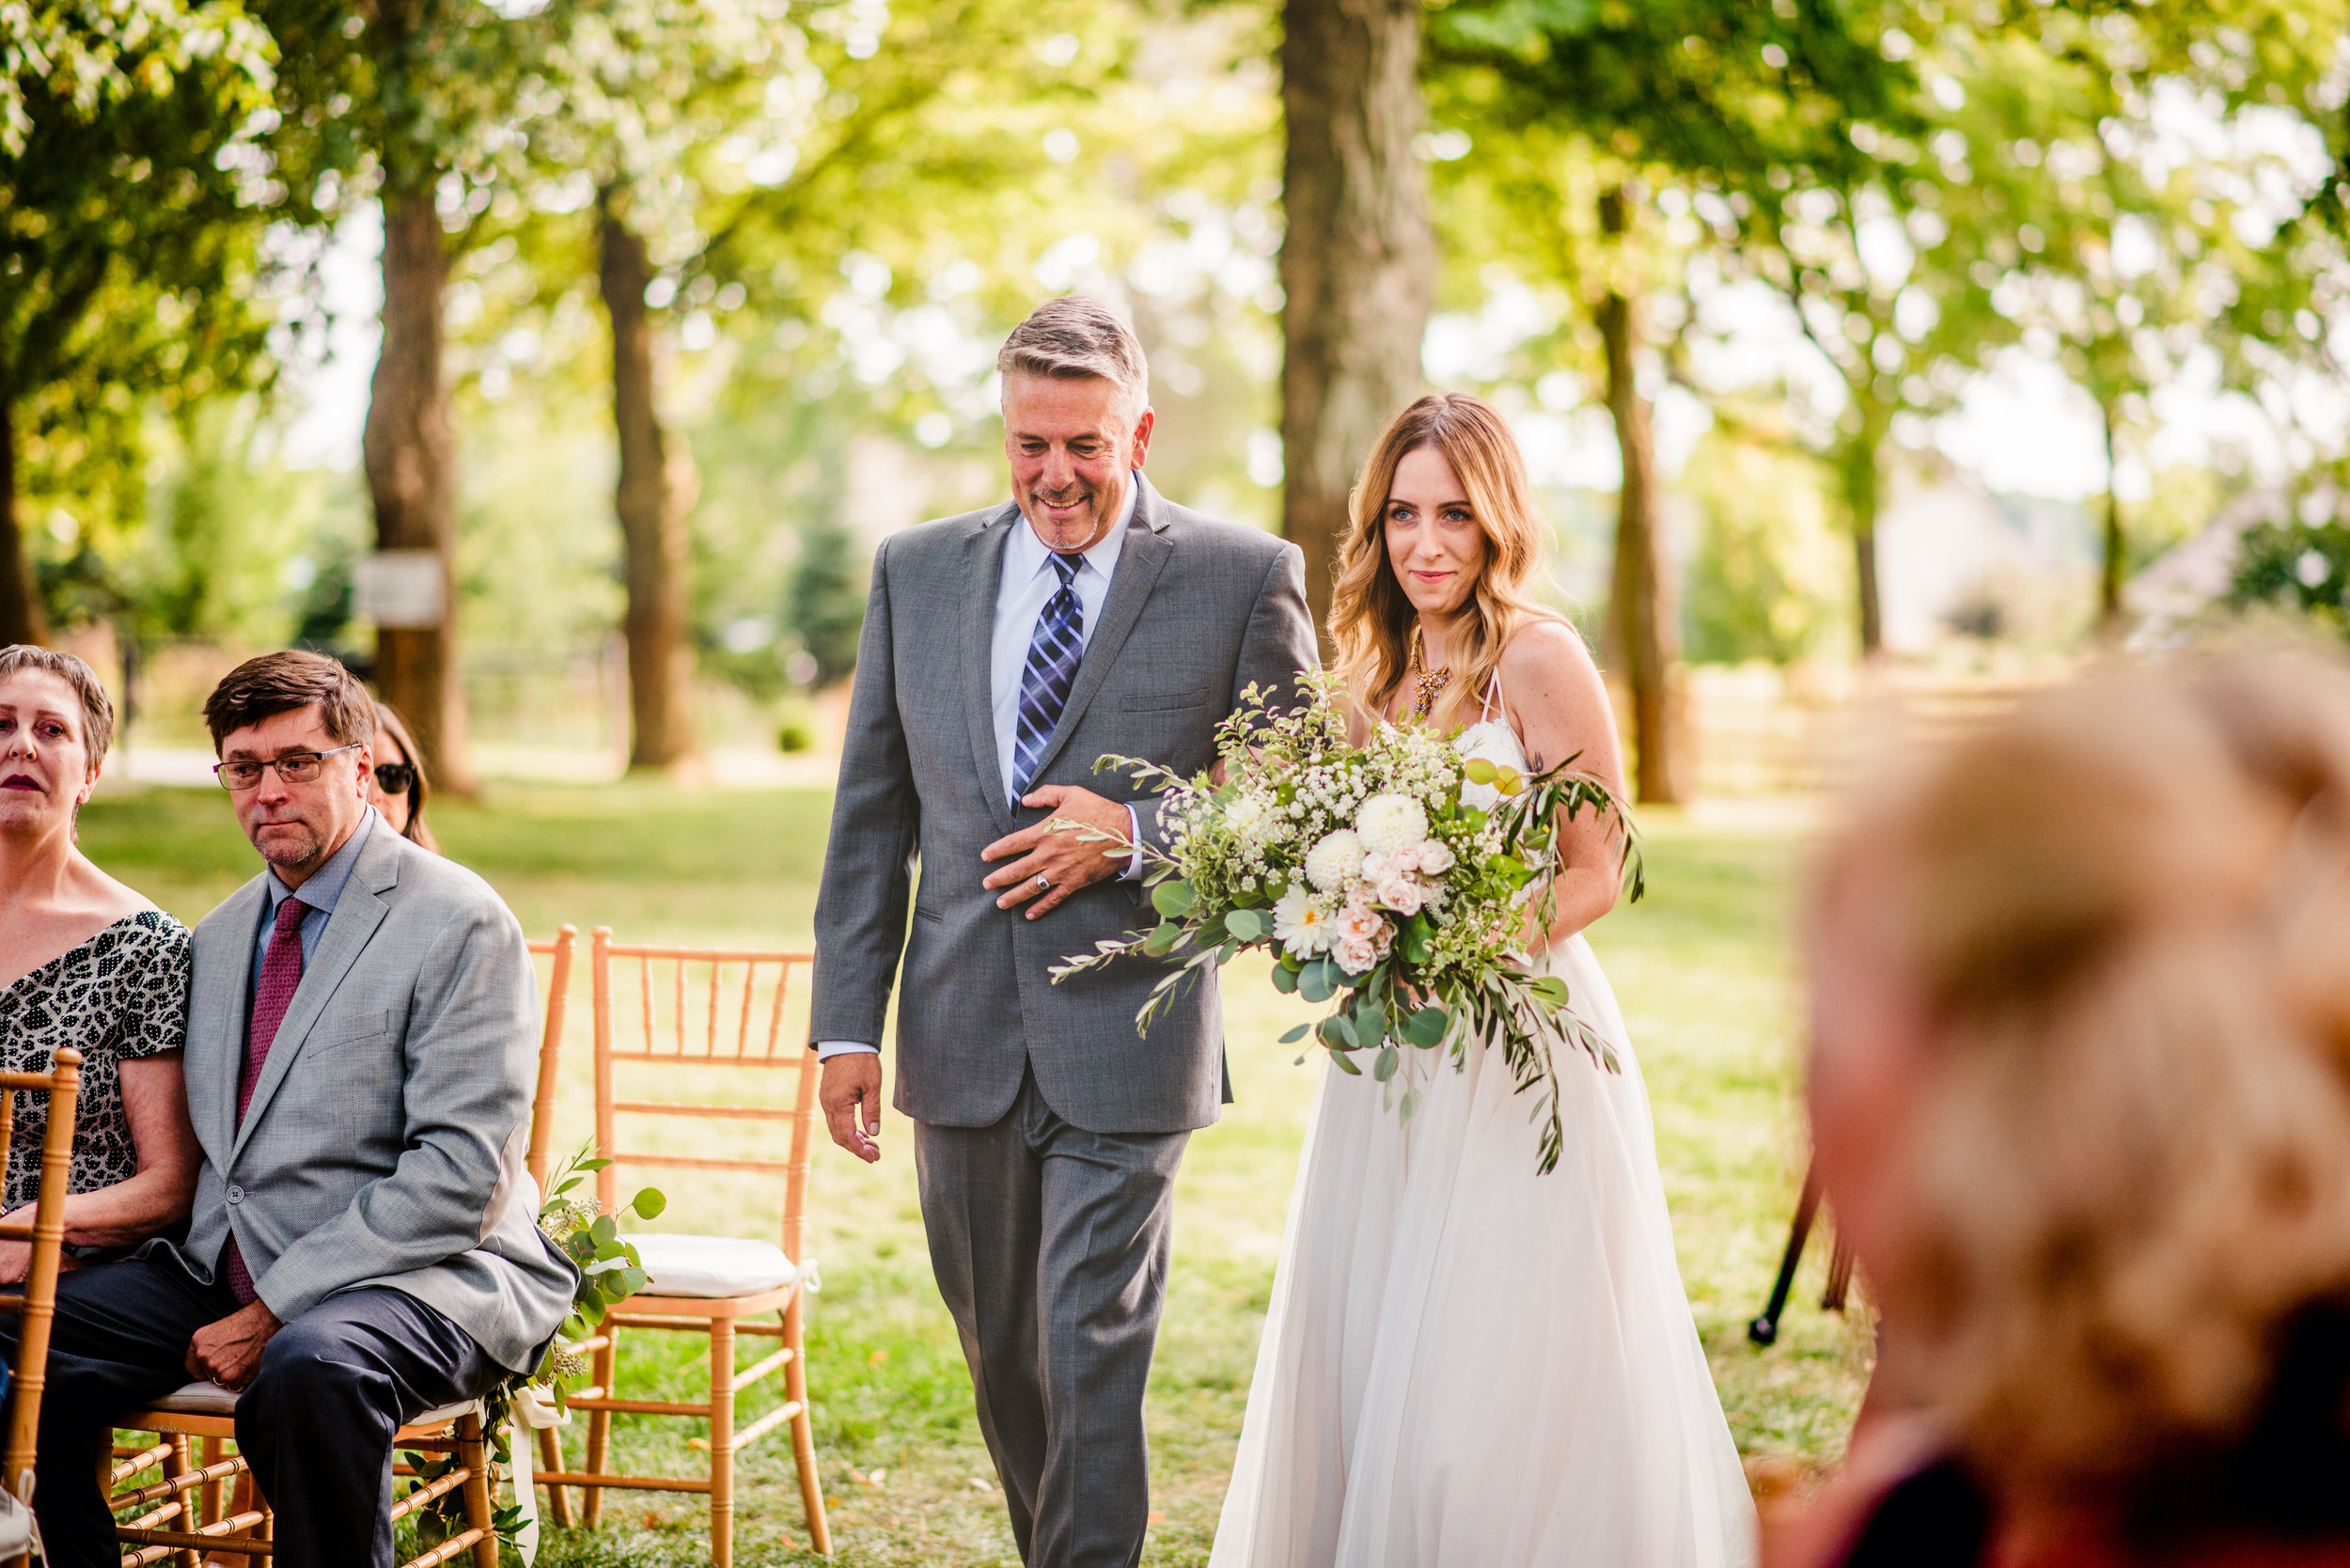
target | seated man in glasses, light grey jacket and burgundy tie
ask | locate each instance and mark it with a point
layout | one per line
(363, 1031)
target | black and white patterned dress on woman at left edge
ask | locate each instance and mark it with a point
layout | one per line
(119, 996)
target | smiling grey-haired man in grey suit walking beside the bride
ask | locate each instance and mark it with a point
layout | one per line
(1002, 655)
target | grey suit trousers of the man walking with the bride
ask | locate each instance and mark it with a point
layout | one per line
(1052, 1247)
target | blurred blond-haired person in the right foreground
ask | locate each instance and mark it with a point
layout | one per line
(2079, 1099)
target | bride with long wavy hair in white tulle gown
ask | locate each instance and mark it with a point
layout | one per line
(1470, 1365)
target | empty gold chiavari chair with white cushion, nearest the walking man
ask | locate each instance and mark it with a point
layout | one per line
(704, 1010)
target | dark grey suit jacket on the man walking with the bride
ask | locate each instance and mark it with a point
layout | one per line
(1197, 610)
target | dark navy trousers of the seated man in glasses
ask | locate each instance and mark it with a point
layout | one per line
(316, 1423)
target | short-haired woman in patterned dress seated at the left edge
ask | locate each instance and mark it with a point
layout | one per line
(86, 963)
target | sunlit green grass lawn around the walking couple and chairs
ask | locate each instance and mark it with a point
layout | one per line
(1703, 970)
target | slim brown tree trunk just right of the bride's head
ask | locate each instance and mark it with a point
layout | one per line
(1641, 626)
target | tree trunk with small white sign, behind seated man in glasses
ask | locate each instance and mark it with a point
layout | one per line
(412, 478)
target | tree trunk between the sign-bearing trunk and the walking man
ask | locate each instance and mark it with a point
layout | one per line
(652, 502)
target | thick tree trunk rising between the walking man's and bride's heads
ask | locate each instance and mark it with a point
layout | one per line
(1357, 264)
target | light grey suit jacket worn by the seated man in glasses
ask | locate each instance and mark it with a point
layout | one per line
(387, 1137)
